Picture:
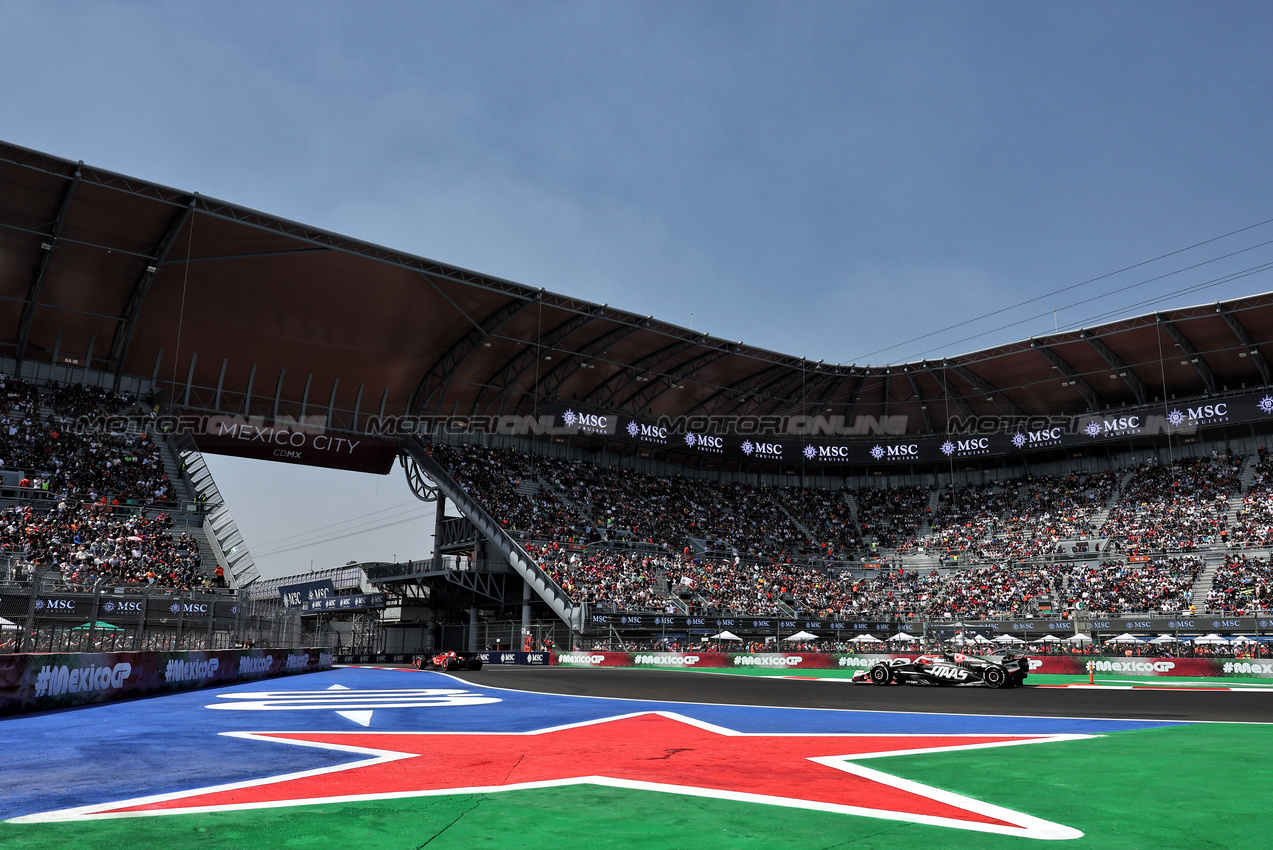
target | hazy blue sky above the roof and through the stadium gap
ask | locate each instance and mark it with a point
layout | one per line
(828, 180)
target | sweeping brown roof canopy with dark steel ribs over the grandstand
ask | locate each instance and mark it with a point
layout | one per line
(264, 316)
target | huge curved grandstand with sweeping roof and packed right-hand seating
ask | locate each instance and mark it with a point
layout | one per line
(621, 475)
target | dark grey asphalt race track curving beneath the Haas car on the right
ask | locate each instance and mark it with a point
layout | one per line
(692, 686)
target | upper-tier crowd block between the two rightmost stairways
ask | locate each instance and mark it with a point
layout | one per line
(1177, 507)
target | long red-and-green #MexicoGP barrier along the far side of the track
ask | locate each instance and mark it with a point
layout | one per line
(1062, 665)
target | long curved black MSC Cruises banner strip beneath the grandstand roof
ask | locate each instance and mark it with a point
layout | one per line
(869, 442)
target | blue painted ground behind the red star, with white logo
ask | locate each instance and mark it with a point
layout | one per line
(167, 744)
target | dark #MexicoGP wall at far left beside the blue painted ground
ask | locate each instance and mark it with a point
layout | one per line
(39, 681)
